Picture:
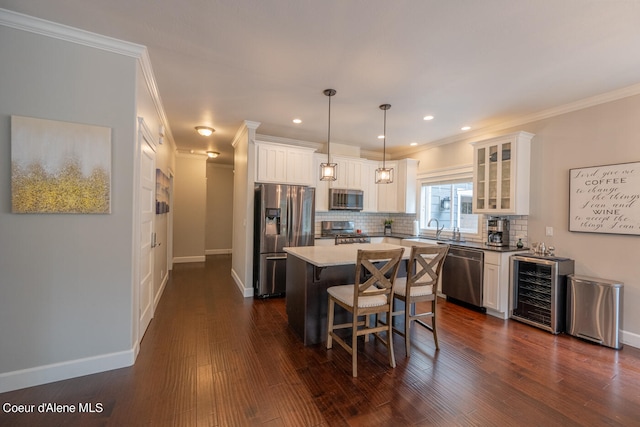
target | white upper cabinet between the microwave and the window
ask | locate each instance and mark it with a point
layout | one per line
(400, 195)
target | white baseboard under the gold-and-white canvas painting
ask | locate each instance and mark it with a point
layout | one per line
(39, 375)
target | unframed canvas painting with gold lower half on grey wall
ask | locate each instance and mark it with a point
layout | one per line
(59, 167)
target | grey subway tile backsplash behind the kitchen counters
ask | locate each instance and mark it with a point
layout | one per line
(373, 223)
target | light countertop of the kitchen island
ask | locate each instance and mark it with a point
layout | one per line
(328, 256)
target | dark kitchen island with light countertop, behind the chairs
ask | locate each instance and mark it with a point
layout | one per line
(313, 269)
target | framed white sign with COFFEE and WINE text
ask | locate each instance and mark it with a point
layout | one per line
(605, 199)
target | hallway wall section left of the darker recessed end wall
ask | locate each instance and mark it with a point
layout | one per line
(190, 195)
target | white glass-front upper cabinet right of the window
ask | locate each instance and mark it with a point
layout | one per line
(501, 174)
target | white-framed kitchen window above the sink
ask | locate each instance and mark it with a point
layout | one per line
(448, 198)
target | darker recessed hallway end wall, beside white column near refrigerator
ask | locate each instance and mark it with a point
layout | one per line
(219, 221)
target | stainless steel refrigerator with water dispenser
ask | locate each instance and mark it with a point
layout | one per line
(284, 216)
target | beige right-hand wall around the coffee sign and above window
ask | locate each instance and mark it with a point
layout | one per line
(599, 135)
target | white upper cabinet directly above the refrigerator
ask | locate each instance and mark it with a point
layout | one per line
(284, 164)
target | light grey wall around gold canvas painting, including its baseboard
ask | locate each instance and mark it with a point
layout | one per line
(66, 280)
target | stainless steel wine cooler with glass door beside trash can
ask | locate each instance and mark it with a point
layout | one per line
(539, 286)
